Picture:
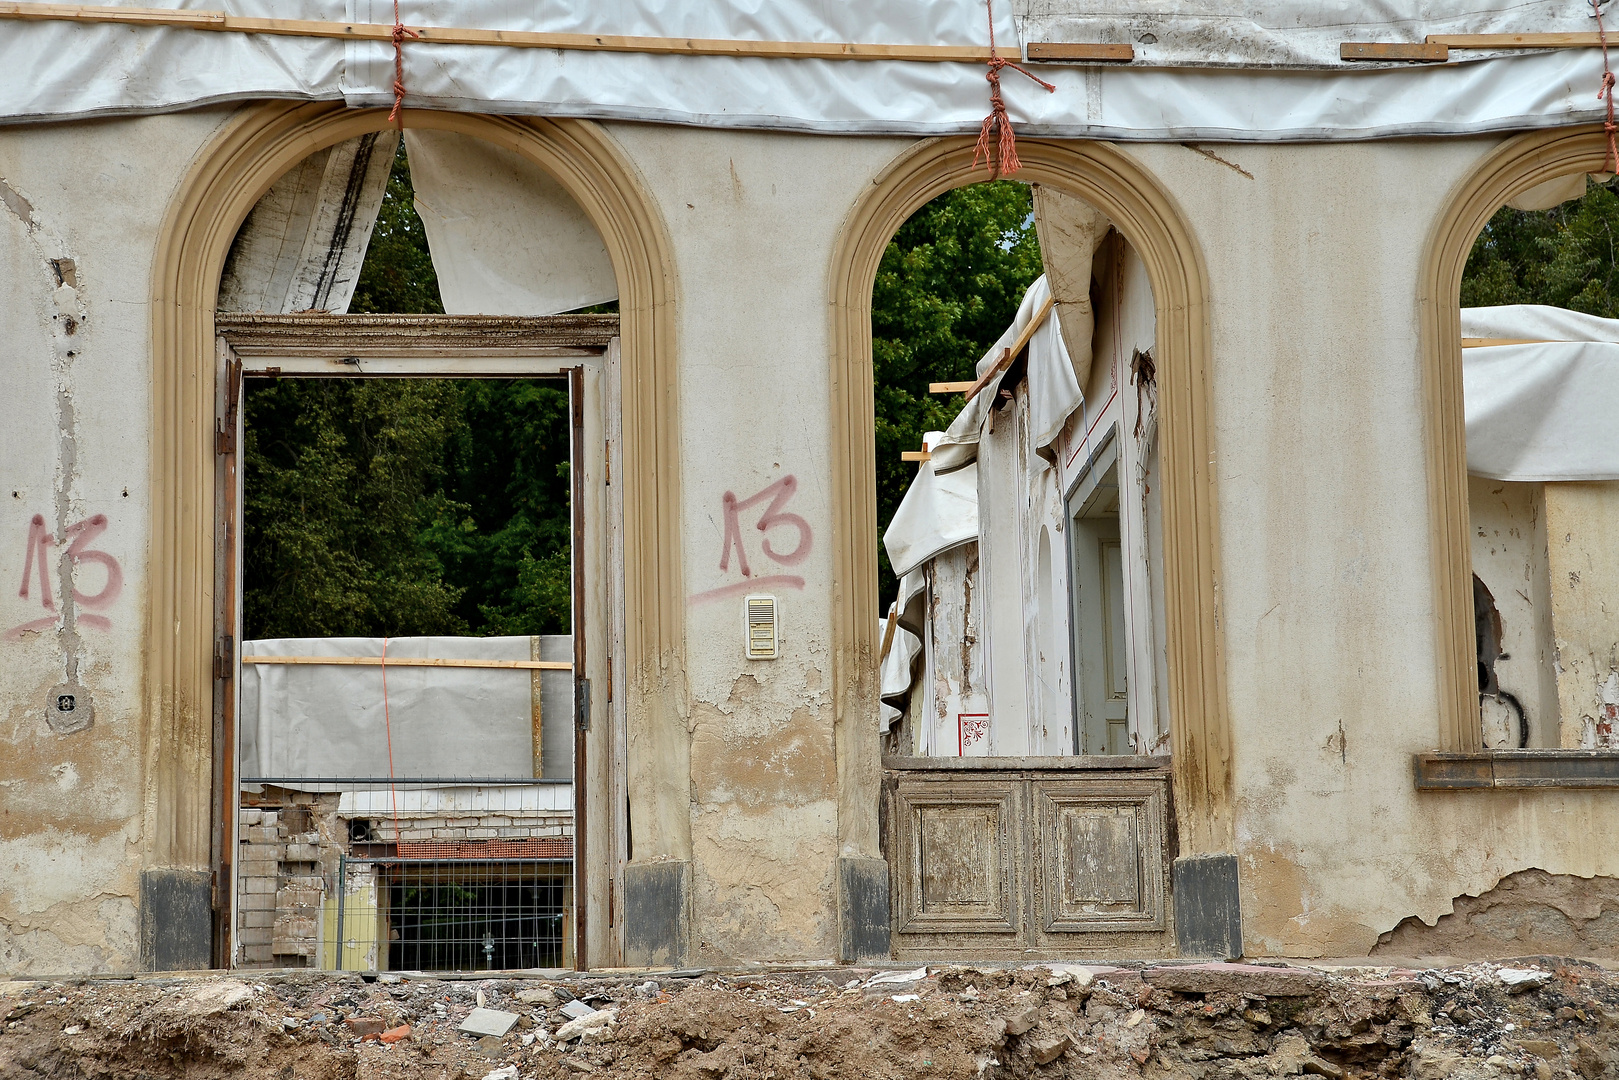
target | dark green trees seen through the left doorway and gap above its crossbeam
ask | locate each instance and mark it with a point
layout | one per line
(406, 506)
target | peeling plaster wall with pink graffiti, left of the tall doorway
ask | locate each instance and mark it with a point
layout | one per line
(80, 213)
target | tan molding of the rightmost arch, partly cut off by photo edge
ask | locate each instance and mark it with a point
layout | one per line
(1511, 169)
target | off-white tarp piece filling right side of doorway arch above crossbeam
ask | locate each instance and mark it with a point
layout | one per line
(506, 239)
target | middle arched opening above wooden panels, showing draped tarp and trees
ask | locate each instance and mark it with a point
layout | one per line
(1022, 589)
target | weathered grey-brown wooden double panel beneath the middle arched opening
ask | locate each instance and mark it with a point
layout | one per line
(1006, 861)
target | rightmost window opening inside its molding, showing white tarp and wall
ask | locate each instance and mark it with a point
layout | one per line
(1540, 367)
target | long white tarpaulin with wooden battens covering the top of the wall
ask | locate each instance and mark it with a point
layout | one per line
(67, 70)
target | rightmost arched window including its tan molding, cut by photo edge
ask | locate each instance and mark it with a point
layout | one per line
(1526, 485)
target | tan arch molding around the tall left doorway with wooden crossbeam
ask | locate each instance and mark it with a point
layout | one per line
(213, 202)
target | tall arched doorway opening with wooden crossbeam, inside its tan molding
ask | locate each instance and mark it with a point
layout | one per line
(420, 506)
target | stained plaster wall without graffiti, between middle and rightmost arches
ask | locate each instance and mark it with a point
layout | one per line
(1325, 576)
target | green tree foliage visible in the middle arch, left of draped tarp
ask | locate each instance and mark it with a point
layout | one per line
(948, 287)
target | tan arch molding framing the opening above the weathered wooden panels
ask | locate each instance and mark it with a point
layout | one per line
(1150, 219)
